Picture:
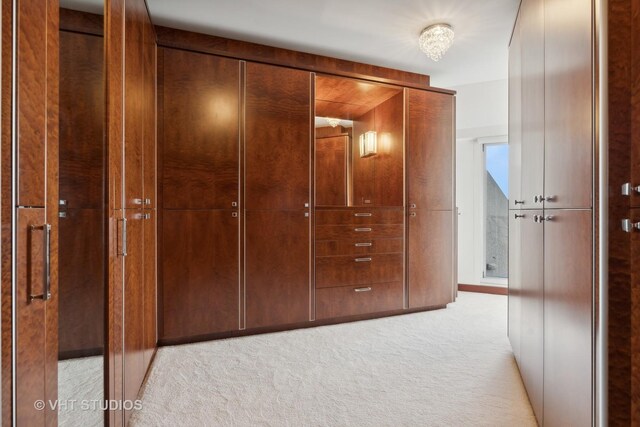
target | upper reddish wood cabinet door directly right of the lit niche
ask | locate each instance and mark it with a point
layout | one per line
(430, 153)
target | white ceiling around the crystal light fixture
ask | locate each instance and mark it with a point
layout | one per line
(379, 32)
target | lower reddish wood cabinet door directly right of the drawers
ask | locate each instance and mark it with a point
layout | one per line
(430, 253)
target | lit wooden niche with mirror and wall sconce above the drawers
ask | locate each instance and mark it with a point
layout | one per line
(359, 145)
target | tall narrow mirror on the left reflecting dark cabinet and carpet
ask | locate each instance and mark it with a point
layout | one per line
(82, 242)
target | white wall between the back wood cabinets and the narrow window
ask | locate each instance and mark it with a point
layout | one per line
(481, 112)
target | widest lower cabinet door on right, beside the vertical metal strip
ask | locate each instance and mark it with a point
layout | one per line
(568, 317)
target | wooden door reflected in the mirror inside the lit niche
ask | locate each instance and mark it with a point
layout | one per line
(331, 156)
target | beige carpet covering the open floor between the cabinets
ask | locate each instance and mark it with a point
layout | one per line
(450, 367)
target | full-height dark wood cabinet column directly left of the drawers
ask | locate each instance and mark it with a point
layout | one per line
(277, 195)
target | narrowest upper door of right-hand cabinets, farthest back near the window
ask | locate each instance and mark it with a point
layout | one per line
(515, 117)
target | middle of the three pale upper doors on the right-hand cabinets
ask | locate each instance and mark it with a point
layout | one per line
(532, 109)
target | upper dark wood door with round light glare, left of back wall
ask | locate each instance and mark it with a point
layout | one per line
(200, 130)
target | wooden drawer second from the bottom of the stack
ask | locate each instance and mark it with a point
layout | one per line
(358, 270)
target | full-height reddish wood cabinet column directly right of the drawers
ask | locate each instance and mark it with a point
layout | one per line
(430, 195)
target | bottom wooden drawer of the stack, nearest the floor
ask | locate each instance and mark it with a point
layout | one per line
(354, 300)
